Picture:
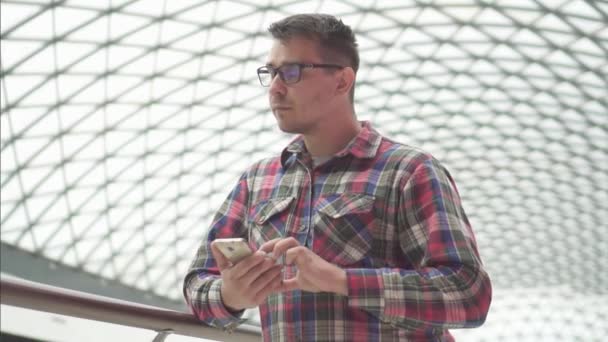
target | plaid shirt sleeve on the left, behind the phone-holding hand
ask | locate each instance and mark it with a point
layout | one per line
(203, 281)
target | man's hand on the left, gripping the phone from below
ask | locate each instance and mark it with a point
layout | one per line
(248, 283)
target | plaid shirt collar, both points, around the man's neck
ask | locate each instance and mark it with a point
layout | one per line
(364, 145)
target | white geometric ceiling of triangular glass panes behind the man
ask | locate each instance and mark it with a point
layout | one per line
(124, 125)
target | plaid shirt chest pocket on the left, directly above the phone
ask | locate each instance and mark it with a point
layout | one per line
(268, 219)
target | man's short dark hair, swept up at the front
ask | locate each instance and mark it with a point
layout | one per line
(336, 40)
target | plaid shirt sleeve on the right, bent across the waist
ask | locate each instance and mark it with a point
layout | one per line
(448, 287)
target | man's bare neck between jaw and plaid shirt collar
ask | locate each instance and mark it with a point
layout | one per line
(331, 137)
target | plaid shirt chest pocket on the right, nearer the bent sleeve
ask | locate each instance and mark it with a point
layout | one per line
(343, 228)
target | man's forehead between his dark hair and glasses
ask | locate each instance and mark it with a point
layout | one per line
(296, 49)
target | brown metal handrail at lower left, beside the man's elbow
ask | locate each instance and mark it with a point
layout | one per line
(27, 294)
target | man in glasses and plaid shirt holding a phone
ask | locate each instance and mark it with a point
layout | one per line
(359, 238)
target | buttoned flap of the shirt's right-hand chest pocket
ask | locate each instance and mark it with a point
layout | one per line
(338, 205)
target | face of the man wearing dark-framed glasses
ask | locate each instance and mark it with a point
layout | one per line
(302, 106)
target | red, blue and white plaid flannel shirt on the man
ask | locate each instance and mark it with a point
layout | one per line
(387, 213)
